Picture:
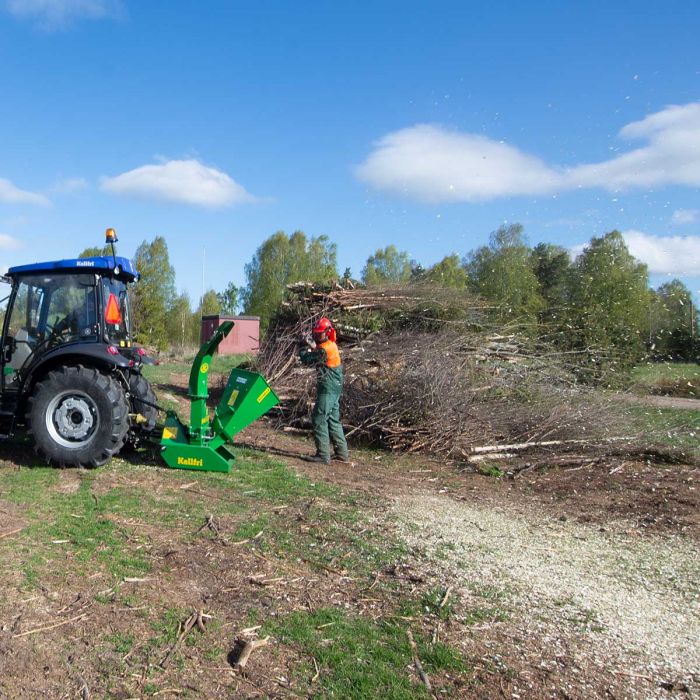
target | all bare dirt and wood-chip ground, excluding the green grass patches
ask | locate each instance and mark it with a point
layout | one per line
(563, 583)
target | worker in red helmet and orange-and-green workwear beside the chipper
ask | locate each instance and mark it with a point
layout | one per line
(327, 428)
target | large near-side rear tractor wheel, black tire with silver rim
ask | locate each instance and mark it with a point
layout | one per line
(78, 416)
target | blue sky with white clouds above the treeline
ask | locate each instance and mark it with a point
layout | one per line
(426, 125)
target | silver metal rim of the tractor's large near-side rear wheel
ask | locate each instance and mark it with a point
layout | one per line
(72, 419)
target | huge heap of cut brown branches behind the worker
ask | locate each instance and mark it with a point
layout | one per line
(427, 371)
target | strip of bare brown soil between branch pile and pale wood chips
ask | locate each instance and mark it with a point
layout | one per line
(643, 495)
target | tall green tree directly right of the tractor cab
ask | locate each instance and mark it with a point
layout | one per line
(154, 293)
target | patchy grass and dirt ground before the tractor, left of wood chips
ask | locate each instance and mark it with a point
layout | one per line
(100, 537)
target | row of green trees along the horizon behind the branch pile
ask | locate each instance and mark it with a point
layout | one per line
(598, 304)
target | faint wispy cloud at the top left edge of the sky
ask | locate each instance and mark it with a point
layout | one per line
(52, 15)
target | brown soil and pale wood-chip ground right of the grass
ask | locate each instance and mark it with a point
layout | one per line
(597, 565)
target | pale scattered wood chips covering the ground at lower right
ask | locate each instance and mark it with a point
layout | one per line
(627, 604)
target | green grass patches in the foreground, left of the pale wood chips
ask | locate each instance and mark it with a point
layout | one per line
(106, 523)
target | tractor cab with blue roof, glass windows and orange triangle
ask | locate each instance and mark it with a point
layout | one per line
(63, 307)
